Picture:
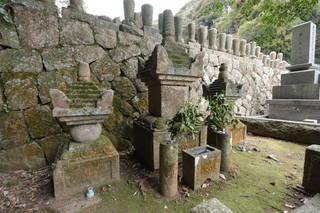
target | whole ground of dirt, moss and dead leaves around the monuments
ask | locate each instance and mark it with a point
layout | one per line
(266, 177)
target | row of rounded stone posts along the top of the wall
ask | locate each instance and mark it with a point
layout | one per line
(172, 26)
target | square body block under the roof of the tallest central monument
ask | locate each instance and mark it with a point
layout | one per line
(165, 100)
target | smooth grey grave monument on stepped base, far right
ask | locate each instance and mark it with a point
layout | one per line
(298, 97)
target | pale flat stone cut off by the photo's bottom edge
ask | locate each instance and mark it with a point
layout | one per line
(211, 206)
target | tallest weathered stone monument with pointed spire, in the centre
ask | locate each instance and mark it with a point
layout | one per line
(168, 74)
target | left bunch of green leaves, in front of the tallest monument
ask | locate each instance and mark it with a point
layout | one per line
(185, 121)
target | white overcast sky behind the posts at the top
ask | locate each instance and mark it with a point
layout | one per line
(114, 8)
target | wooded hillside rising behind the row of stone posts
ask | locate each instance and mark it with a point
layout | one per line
(233, 20)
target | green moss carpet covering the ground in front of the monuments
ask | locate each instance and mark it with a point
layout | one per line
(250, 191)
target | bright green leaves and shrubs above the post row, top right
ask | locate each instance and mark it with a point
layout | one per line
(268, 22)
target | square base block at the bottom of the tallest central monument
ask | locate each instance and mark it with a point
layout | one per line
(147, 143)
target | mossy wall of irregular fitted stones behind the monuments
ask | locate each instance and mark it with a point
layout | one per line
(41, 50)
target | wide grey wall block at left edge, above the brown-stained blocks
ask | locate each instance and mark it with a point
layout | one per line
(21, 60)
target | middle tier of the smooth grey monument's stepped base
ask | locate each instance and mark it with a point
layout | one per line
(297, 91)
